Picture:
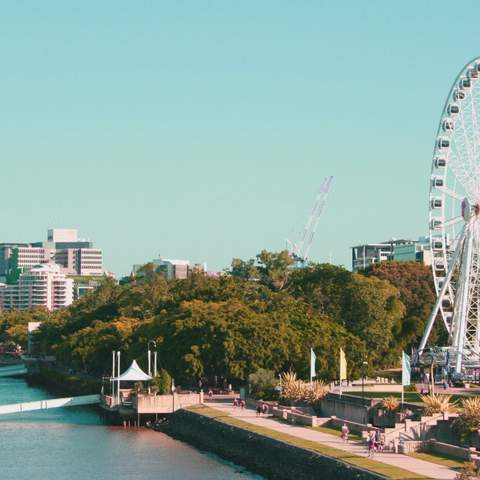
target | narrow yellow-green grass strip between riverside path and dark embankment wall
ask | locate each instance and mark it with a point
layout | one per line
(389, 471)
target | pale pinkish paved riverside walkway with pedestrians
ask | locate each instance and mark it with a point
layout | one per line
(411, 464)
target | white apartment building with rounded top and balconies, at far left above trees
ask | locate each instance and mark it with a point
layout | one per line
(41, 286)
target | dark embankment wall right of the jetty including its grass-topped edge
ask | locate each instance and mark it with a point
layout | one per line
(261, 451)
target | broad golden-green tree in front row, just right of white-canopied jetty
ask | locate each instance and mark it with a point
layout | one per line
(224, 339)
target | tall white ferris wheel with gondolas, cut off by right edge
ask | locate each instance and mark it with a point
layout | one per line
(454, 222)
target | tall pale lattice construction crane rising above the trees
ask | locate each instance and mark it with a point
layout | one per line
(299, 252)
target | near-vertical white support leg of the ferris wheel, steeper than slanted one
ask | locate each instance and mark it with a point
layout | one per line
(460, 333)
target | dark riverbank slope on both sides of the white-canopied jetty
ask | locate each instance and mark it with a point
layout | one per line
(257, 452)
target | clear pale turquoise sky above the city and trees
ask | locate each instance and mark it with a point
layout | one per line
(202, 129)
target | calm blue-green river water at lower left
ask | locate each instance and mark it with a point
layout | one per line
(73, 443)
